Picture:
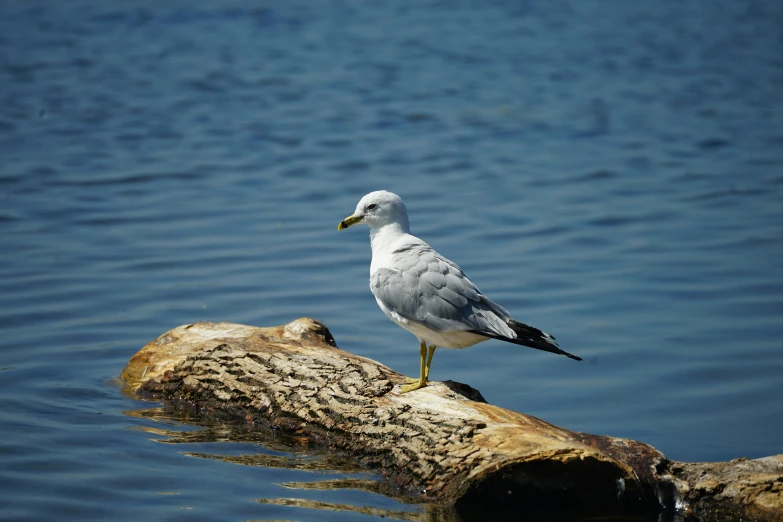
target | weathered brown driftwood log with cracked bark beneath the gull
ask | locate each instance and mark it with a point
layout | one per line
(443, 443)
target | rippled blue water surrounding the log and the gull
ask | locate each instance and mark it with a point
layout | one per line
(611, 172)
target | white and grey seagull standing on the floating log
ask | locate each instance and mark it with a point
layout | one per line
(429, 295)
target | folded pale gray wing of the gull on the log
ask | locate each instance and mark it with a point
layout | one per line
(425, 287)
